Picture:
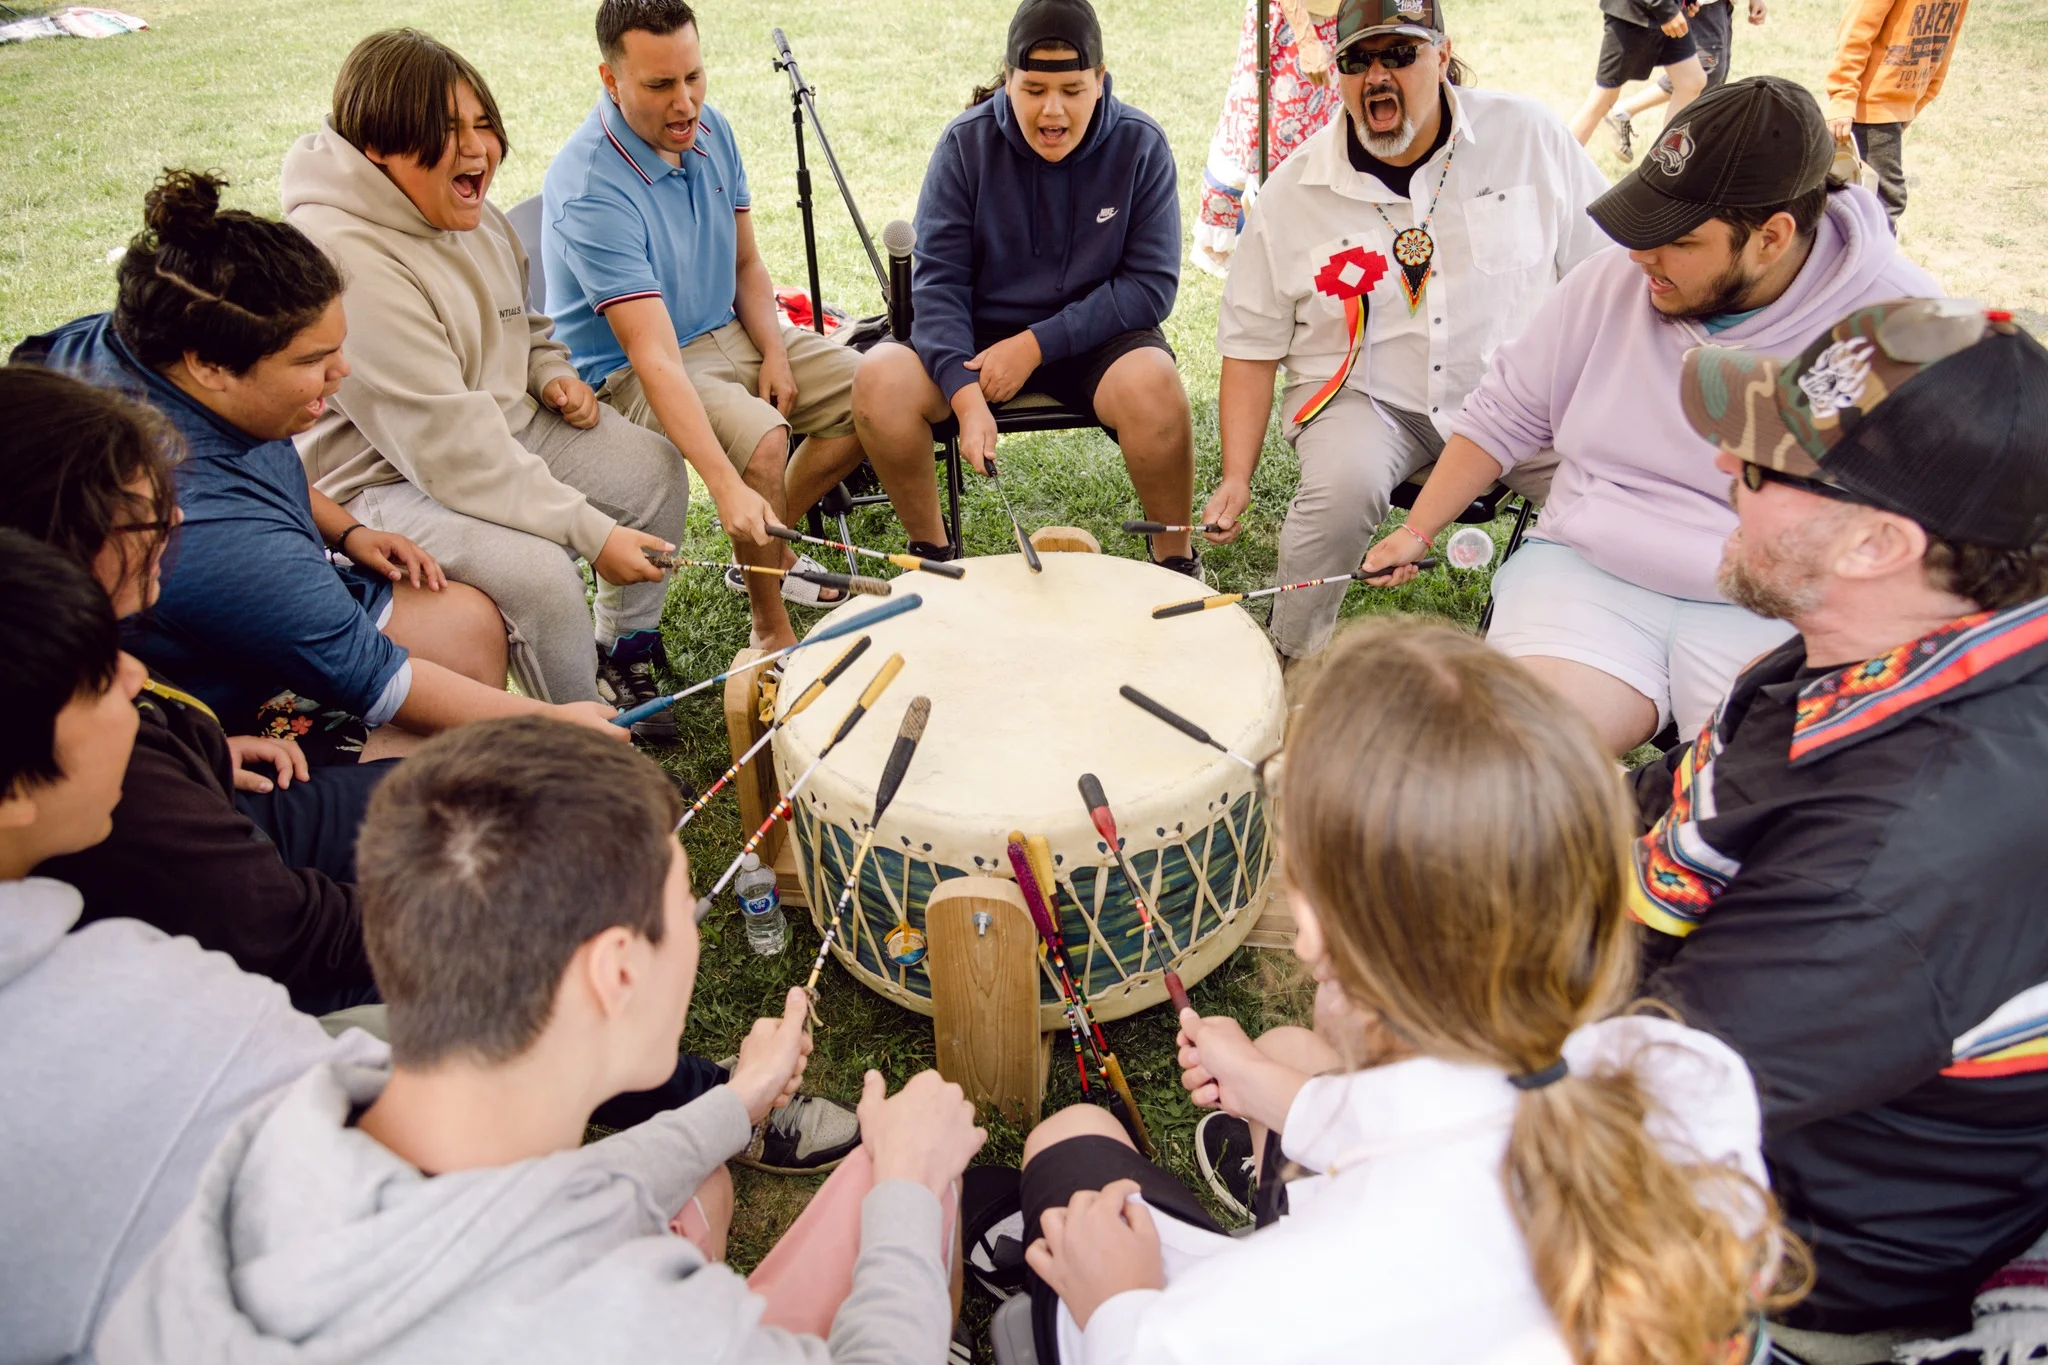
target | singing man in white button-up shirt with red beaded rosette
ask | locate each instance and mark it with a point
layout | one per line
(1383, 265)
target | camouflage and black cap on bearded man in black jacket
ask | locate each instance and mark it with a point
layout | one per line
(1930, 408)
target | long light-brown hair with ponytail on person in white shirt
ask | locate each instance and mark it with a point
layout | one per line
(1463, 842)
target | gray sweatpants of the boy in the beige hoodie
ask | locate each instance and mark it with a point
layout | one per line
(628, 474)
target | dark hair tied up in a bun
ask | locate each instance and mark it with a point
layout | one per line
(228, 288)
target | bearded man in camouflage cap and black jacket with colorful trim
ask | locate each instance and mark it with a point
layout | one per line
(1844, 875)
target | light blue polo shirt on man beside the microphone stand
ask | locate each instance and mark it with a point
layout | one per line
(622, 224)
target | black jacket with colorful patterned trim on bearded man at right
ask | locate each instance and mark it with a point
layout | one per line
(1846, 879)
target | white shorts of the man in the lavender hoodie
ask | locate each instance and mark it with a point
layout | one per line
(1678, 654)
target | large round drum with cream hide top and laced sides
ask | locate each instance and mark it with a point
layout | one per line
(1023, 672)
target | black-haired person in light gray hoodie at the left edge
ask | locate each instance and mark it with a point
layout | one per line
(128, 1051)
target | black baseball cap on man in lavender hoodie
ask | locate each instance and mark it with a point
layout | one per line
(1750, 144)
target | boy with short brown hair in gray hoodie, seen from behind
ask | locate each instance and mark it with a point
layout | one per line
(529, 922)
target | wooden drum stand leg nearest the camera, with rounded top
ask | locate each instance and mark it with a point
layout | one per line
(984, 961)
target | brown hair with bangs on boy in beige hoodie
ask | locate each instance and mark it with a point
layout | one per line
(396, 91)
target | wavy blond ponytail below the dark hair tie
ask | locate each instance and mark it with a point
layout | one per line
(1639, 1258)
